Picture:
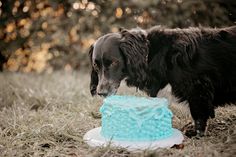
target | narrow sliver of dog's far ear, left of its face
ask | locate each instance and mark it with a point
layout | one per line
(94, 75)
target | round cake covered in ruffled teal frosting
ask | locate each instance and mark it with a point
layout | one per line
(133, 118)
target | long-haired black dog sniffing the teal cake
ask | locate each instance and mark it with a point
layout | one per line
(199, 64)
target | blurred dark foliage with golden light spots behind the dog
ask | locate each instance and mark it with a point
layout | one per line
(47, 35)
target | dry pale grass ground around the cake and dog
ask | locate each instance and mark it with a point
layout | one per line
(48, 114)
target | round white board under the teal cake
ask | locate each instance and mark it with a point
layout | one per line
(94, 139)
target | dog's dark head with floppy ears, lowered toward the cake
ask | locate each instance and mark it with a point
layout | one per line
(116, 56)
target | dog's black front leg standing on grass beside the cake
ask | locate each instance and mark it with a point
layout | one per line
(200, 98)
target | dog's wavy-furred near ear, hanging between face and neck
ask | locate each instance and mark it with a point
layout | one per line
(134, 46)
